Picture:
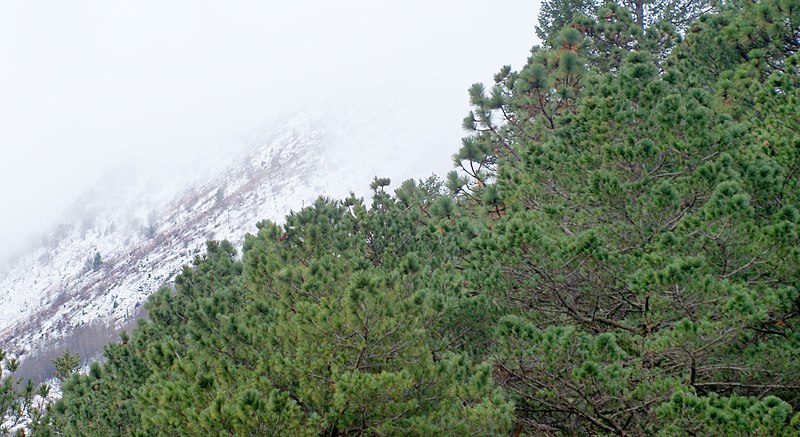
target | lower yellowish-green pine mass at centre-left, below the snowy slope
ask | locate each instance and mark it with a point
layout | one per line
(328, 327)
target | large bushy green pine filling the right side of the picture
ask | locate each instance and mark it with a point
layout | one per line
(650, 245)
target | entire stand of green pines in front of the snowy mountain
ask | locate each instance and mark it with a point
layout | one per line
(617, 253)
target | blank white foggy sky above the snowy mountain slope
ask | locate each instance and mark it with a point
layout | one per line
(88, 85)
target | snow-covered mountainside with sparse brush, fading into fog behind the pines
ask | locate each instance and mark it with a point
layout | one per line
(144, 237)
